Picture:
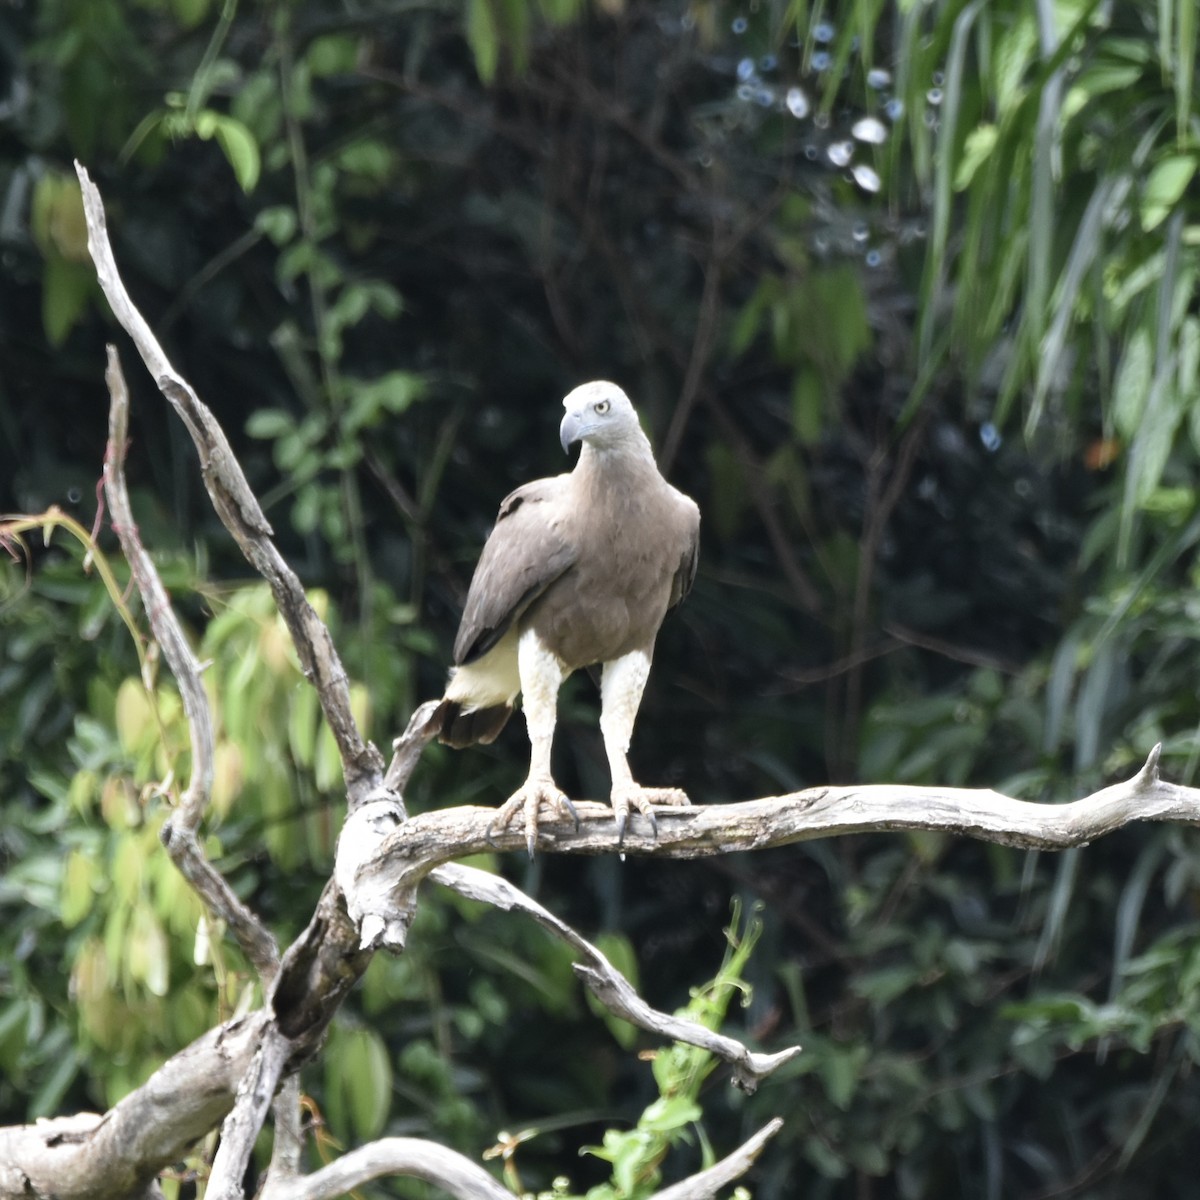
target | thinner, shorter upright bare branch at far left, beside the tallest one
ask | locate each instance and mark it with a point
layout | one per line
(179, 835)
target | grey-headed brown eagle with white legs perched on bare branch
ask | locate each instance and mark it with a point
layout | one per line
(579, 572)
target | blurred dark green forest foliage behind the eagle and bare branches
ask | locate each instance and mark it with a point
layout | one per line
(907, 296)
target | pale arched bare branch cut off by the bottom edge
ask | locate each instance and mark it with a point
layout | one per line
(411, 1157)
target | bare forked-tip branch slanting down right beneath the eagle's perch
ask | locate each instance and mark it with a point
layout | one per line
(608, 985)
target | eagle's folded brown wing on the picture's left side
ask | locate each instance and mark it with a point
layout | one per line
(524, 555)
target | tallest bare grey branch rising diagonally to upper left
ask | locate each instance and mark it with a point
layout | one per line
(239, 509)
